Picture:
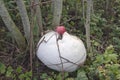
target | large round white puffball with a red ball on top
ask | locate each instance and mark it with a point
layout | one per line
(66, 54)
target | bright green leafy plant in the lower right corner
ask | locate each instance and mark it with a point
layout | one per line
(105, 66)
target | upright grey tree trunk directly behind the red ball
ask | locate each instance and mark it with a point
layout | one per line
(57, 11)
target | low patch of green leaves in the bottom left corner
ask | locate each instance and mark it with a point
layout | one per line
(10, 72)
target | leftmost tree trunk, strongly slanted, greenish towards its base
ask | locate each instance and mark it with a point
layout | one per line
(20, 40)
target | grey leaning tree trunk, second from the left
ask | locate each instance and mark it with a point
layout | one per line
(25, 19)
